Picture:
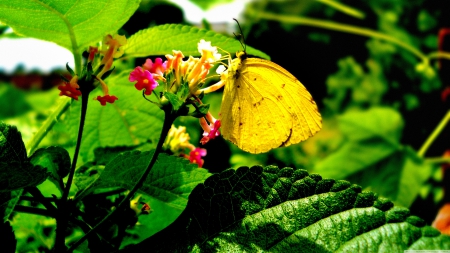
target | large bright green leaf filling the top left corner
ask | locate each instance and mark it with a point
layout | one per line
(72, 24)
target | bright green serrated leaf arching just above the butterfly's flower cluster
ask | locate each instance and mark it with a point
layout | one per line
(161, 40)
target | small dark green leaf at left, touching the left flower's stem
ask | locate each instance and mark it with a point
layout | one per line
(57, 162)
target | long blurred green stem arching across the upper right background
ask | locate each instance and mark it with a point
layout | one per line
(331, 25)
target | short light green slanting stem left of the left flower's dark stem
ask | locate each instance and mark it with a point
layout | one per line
(48, 124)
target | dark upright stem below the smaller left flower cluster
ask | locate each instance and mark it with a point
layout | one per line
(63, 212)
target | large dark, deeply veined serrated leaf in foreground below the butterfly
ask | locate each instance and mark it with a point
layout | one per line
(288, 210)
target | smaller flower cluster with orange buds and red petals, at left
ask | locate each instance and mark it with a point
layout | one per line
(98, 68)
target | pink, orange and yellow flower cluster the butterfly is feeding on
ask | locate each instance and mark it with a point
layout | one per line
(182, 82)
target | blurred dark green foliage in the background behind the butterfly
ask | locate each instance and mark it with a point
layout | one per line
(378, 105)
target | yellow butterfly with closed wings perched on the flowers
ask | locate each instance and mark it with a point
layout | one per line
(265, 107)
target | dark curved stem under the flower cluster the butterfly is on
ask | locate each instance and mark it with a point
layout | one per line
(168, 121)
